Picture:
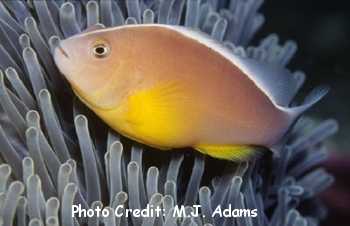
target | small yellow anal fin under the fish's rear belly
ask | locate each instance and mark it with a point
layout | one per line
(239, 153)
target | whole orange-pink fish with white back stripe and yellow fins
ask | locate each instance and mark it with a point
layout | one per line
(171, 87)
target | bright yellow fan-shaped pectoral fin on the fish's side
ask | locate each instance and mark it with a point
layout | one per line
(164, 116)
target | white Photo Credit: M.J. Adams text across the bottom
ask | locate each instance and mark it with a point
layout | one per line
(156, 211)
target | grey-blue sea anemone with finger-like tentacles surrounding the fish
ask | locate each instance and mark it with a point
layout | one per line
(55, 153)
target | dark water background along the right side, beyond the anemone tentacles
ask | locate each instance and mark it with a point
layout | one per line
(322, 30)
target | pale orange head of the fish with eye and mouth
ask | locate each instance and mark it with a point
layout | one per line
(91, 64)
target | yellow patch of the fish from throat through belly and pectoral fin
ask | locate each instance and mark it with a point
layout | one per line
(158, 117)
